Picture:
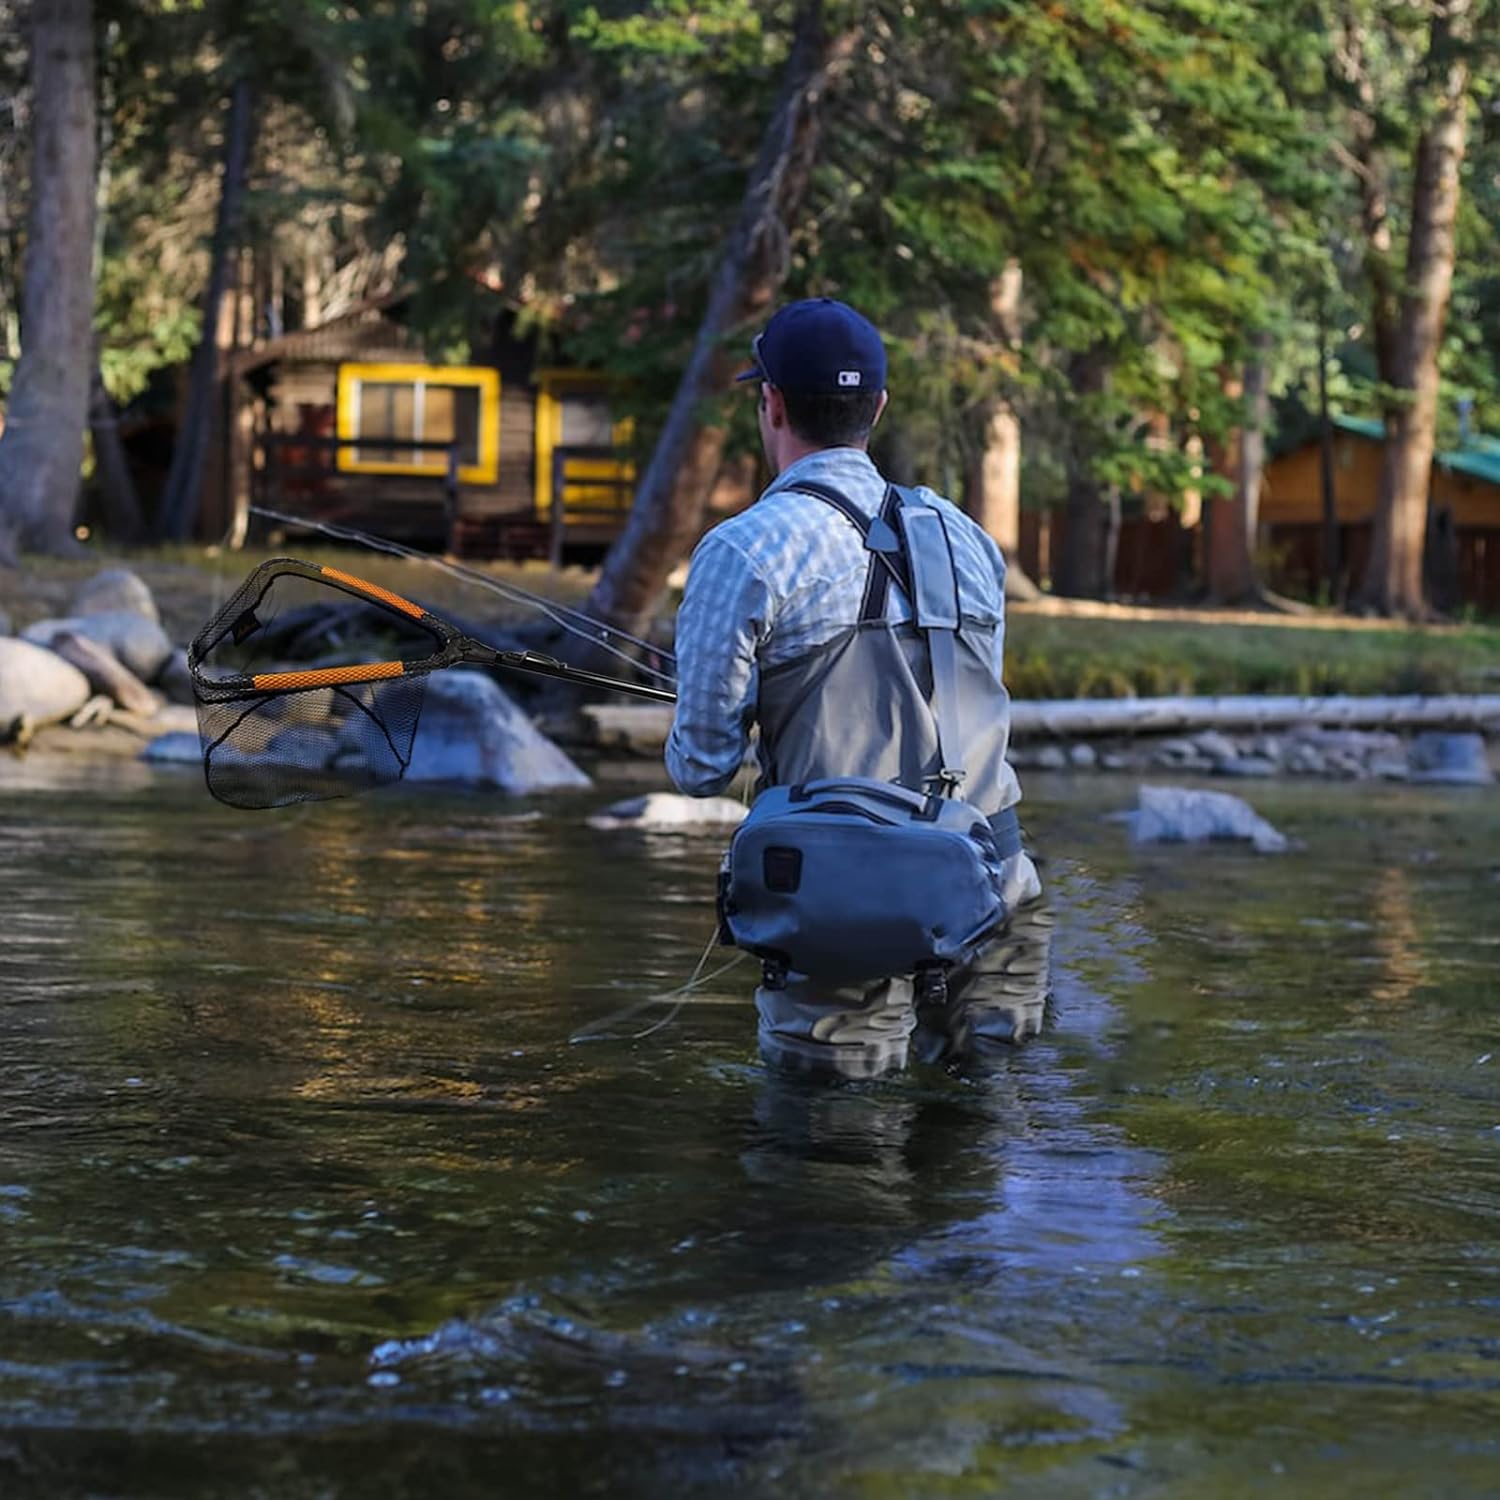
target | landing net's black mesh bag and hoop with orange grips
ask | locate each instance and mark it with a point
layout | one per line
(310, 686)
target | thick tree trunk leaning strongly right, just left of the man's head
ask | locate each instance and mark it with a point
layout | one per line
(668, 509)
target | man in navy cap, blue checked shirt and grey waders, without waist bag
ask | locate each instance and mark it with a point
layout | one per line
(799, 619)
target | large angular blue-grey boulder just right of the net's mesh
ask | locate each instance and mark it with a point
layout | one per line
(472, 731)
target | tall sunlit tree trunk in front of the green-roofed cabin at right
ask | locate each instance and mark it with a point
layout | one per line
(1394, 577)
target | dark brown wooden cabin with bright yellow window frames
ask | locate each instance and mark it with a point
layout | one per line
(352, 422)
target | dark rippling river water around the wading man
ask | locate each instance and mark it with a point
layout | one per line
(307, 1192)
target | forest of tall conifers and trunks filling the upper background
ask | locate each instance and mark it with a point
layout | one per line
(1124, 247)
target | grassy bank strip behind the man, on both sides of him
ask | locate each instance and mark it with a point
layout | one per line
(1054, 650)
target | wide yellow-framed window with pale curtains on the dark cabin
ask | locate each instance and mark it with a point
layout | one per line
(388, 409)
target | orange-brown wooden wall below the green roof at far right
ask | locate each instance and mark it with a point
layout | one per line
(1292, 491)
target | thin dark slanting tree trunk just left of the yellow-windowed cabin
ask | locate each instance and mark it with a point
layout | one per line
(184, 488)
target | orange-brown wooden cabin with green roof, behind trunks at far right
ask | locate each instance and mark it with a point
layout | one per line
(1463, 517)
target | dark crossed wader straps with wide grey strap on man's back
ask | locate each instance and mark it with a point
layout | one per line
(910, 545)
